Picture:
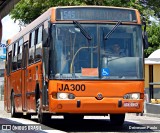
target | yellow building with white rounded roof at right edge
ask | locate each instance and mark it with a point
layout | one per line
(152, 83)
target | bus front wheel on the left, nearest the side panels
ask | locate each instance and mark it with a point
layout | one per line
(42, 117)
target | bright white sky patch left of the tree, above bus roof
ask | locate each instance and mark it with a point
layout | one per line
(10, 28)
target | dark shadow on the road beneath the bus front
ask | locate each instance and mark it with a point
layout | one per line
(95, 125)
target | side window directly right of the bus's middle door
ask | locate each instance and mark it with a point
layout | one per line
(31, 47)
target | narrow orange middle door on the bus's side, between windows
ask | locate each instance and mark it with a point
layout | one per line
(24, 76)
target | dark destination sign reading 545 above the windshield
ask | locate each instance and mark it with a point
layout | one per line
(94, 13)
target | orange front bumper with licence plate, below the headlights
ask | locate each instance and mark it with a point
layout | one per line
(90, 105)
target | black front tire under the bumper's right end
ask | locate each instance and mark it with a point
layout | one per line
(117, 119)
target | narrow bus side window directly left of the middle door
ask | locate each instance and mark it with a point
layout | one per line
(20, 53)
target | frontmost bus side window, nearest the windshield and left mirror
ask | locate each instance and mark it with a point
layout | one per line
(38, 38)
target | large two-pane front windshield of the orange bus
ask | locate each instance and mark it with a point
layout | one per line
(73, 56)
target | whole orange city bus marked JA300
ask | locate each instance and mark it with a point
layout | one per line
(62, 64)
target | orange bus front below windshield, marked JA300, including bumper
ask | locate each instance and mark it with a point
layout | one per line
(86, 100)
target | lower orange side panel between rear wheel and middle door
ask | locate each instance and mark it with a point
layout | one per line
(16, 82)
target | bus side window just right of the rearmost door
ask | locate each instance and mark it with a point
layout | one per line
(14, 58)
